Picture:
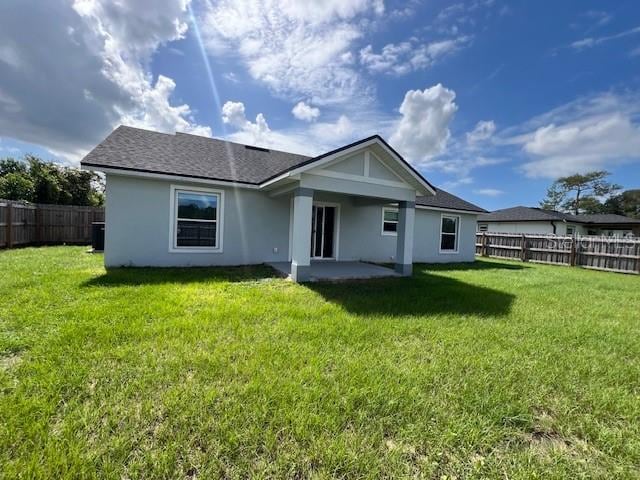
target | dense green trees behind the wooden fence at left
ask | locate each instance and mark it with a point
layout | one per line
(34, 180)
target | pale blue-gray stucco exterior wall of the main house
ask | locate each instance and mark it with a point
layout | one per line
(256, 228)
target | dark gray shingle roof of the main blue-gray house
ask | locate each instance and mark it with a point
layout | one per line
(135, 149)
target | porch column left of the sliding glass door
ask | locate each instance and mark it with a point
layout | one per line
(301, 238)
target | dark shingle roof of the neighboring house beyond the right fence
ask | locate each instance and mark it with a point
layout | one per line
(531, 214)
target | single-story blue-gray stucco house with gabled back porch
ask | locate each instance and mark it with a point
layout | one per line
(185, 200)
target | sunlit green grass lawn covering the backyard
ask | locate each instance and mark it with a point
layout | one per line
(485, 370)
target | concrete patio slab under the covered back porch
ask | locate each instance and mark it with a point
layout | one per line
(336, 271)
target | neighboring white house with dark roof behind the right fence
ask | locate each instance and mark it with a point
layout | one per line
(537, 220)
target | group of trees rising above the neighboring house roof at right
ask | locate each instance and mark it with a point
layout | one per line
(591, 193)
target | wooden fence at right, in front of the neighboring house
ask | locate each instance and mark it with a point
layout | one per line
(599, 253)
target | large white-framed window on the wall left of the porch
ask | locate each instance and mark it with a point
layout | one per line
(196, 220)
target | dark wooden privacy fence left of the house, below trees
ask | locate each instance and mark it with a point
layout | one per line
(40, 224)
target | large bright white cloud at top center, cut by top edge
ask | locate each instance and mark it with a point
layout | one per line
(295, 48)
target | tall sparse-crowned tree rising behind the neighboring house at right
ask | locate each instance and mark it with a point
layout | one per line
(579, 193)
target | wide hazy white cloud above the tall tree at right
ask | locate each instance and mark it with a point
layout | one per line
(596, 132)
